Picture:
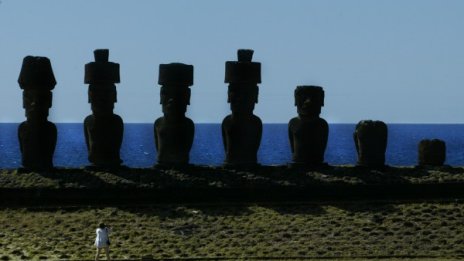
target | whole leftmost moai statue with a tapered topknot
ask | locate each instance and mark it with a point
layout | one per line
(37, 136)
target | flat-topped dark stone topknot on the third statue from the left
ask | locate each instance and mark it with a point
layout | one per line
(175, 74)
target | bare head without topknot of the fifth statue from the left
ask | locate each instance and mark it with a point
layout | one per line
(309, 100)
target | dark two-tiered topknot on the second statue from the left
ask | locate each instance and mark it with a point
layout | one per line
(101, 71)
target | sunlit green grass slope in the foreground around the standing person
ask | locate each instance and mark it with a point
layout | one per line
(339, 230)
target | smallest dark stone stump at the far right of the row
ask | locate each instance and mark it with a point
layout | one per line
(432, 152)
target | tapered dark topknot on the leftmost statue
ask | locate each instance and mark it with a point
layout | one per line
(36, 74)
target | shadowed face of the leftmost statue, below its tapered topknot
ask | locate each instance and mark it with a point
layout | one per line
(36, 103)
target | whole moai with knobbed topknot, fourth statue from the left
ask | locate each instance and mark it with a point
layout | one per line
(242, 130)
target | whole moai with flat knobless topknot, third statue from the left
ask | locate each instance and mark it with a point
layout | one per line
(174, 132)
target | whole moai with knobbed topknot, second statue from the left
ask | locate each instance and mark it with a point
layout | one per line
(103, 129)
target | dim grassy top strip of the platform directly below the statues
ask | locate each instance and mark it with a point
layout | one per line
(217, 177)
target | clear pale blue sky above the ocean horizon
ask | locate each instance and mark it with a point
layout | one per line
(399, 61)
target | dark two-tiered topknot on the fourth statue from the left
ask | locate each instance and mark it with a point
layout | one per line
(243, 71)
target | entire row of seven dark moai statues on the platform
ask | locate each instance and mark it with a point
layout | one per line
(174, 132)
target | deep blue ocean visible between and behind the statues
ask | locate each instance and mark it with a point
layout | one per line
(138, 149)
